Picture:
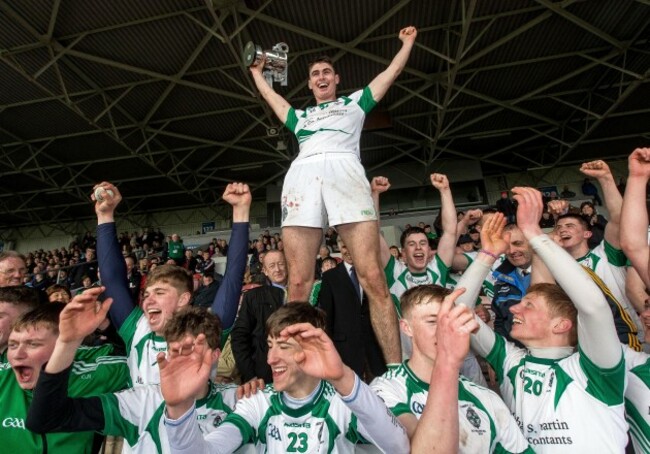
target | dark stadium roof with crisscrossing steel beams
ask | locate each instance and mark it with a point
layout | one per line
(153, 95)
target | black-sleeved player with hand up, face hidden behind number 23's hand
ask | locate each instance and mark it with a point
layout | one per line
(136, 413)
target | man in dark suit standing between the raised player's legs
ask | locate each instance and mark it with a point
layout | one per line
(348, 318)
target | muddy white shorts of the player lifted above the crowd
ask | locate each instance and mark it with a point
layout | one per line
(326, 187)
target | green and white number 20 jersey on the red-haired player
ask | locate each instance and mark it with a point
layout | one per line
(567, 405)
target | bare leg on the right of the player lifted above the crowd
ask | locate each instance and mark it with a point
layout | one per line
(362, 240)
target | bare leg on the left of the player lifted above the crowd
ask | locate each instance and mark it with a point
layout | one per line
(300, 249)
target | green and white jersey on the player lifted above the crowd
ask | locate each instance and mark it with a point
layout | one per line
(333, 126)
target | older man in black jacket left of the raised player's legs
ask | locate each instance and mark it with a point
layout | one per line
(248, 336)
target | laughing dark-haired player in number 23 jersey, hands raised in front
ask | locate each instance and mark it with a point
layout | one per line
(316, 404)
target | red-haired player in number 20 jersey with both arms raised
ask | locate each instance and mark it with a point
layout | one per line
(564, 400)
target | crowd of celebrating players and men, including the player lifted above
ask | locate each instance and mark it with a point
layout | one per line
(386, 349)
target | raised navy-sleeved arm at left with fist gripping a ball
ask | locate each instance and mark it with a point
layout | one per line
(110, 258)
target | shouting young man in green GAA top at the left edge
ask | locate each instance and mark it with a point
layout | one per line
(31, 345)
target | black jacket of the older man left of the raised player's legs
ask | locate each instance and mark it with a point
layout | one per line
(248, 335)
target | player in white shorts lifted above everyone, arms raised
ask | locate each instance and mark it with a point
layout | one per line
(327, 180)
